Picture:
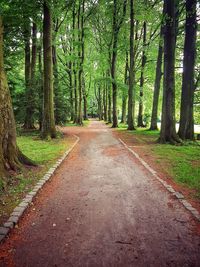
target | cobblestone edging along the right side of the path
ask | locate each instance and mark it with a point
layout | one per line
(178, 195)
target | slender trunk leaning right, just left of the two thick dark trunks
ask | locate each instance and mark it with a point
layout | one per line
(154, 115)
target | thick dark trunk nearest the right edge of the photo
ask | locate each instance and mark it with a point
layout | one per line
(186, 129)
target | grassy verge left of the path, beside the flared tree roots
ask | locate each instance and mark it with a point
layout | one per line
(44, 153)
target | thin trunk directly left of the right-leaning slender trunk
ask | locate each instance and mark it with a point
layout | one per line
(144, 59)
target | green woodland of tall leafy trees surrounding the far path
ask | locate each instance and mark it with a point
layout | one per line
(125, 62)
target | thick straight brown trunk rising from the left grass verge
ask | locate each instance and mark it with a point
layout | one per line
(48, 123)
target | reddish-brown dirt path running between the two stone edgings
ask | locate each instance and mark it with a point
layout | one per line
(103, 209)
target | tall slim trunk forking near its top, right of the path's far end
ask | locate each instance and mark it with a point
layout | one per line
(117, 23)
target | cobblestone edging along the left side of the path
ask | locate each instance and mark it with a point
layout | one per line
(20, 209)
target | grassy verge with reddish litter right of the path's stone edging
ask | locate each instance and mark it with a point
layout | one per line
(182, 163)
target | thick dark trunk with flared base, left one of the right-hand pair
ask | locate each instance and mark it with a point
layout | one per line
(168, 130)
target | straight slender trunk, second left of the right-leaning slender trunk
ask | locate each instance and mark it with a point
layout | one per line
(131, 90)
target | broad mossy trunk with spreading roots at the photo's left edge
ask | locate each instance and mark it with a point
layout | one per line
(10, 156)
